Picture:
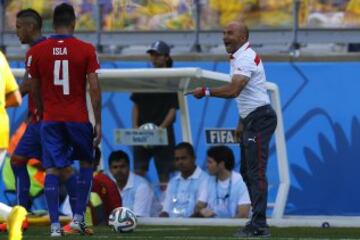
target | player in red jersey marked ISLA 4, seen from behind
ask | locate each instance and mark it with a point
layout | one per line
(62, 66)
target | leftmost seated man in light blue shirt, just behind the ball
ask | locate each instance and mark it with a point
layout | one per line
(135, 191)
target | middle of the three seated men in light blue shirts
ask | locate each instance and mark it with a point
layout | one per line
(183, 189)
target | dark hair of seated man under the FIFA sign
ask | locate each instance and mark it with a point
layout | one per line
(222, 154)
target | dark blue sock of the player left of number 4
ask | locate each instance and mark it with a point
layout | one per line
(22, 184)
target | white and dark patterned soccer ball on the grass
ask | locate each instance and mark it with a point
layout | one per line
(122, 220)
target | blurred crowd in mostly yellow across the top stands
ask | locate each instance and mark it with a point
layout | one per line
(147, 15)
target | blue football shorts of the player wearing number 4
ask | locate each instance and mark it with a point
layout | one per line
(64, 142)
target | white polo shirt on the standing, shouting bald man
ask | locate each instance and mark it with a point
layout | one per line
(246, 62)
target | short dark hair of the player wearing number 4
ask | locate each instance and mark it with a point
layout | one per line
(64, 15)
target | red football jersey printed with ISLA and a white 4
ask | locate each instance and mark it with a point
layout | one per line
(62, 63)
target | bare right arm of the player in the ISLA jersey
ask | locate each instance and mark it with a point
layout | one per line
(95, 95)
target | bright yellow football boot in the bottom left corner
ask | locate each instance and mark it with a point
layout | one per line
(15, 221)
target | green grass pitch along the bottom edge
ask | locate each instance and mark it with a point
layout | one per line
(198, 233)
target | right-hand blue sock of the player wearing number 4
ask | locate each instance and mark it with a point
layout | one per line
(83, 189)
